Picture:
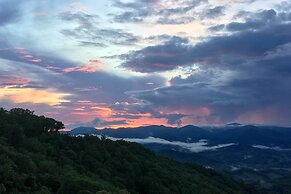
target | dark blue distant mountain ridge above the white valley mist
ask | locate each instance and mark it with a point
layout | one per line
(231, 133)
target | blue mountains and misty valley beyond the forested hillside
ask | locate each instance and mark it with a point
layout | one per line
(254, 153)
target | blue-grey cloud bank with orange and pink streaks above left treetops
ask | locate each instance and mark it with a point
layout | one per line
(56, 75)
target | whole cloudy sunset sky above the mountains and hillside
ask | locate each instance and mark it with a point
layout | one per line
(128, 63)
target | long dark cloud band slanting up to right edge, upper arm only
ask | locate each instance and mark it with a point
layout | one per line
(214, 51)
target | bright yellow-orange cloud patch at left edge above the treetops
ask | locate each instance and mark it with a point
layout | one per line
(31, 95)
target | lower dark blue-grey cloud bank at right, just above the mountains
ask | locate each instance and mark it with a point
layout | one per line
(223, 95)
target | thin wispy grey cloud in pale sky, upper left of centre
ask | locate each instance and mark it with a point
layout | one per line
(89, 33)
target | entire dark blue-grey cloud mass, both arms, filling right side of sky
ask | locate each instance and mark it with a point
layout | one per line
(245, 72)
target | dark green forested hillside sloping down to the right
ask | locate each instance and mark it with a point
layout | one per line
(35, 158)
